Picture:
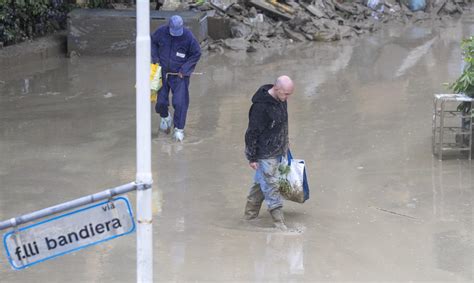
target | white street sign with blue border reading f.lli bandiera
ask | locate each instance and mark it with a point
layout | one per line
(69, 232)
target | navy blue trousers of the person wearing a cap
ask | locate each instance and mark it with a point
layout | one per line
(179, 88)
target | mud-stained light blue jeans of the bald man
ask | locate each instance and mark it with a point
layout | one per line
(266, 183)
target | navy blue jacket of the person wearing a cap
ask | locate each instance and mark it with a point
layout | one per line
(175, 53)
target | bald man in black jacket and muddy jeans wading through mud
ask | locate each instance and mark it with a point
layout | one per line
(266, 145)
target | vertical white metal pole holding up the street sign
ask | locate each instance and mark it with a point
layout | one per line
(144, 196)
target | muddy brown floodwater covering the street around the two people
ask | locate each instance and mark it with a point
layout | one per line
(382, 208)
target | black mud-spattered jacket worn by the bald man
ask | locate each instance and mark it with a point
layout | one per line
(267, 133)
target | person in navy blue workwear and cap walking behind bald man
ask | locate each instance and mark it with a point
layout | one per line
(177, 51)
